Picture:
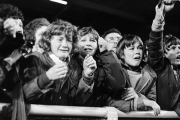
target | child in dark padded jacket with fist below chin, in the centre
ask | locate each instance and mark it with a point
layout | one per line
(101, 71)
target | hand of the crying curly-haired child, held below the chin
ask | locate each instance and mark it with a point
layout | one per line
(58, 71)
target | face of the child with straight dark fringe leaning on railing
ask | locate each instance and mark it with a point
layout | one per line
(133, 54)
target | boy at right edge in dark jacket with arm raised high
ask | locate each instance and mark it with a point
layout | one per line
(164, 58)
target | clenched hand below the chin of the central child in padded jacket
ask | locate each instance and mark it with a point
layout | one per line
(89, 65)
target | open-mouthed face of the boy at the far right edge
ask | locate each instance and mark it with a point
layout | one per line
(173, 54)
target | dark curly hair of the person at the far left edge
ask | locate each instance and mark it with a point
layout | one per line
(10, 11)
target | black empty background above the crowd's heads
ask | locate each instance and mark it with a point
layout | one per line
(128, 16)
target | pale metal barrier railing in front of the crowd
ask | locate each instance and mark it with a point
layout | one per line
(49, 112)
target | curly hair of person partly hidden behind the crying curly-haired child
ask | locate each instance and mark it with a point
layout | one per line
(31, 28)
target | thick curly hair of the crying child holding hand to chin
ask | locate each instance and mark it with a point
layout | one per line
(58, 27)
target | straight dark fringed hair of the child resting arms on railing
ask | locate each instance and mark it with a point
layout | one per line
(127, 41)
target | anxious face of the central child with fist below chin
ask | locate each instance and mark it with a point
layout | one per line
(87, 45)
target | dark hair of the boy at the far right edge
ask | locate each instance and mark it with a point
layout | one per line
(170, 40)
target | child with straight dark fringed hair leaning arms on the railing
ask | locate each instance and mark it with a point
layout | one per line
(140, 90)
